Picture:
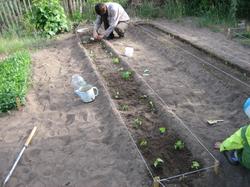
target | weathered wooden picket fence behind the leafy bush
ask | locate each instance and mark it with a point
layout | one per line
(12, 11)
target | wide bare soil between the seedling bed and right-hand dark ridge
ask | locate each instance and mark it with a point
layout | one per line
(195, 92)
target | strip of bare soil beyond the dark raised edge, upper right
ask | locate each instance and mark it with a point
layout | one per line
(213, 42)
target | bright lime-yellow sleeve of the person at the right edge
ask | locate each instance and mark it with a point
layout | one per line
(233, 142)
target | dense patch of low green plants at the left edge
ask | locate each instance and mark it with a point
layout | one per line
(15, 72)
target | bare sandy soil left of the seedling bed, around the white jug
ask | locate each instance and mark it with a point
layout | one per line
(77, 144)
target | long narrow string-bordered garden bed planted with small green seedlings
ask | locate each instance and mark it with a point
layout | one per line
(144, 119)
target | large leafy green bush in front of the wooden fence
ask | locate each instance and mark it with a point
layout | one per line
(48, 17)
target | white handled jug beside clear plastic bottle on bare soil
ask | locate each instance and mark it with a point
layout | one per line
(87, 93)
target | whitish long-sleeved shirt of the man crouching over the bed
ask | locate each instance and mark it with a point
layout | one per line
(116, 13)
